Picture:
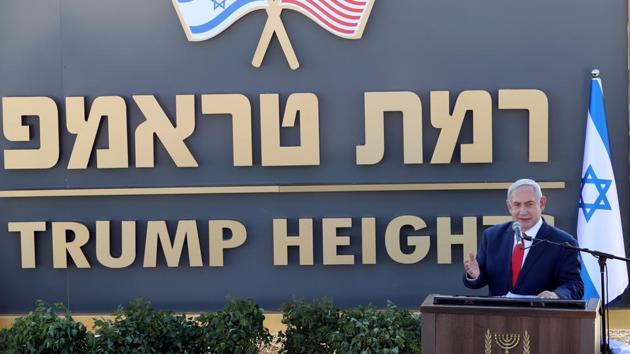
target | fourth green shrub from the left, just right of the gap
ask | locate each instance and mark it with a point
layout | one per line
(309, 326)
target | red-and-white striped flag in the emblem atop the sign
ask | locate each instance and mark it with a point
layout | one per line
(343, 18)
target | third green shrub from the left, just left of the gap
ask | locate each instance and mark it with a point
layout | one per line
(237, 329)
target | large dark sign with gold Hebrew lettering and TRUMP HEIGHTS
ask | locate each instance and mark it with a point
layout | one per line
(140, 160)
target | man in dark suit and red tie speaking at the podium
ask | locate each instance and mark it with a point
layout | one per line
(508, 264)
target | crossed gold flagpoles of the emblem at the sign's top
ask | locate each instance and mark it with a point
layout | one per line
(274, 25)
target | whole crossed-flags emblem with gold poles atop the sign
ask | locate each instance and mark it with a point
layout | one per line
(204, 19)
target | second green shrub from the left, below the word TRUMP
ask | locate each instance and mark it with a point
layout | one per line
(141, 329)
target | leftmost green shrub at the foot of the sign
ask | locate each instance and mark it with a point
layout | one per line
(43, 331)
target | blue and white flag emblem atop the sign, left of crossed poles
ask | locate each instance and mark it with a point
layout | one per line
(204, 19)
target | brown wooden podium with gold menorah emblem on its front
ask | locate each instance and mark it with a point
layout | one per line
(460, 324)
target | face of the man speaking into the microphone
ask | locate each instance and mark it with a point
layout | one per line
(524, 207)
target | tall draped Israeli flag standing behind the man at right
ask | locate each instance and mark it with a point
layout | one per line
(599, 221)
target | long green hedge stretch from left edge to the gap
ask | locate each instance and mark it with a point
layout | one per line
(139, 328)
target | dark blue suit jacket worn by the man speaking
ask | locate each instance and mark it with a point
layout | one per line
(547, 267)
